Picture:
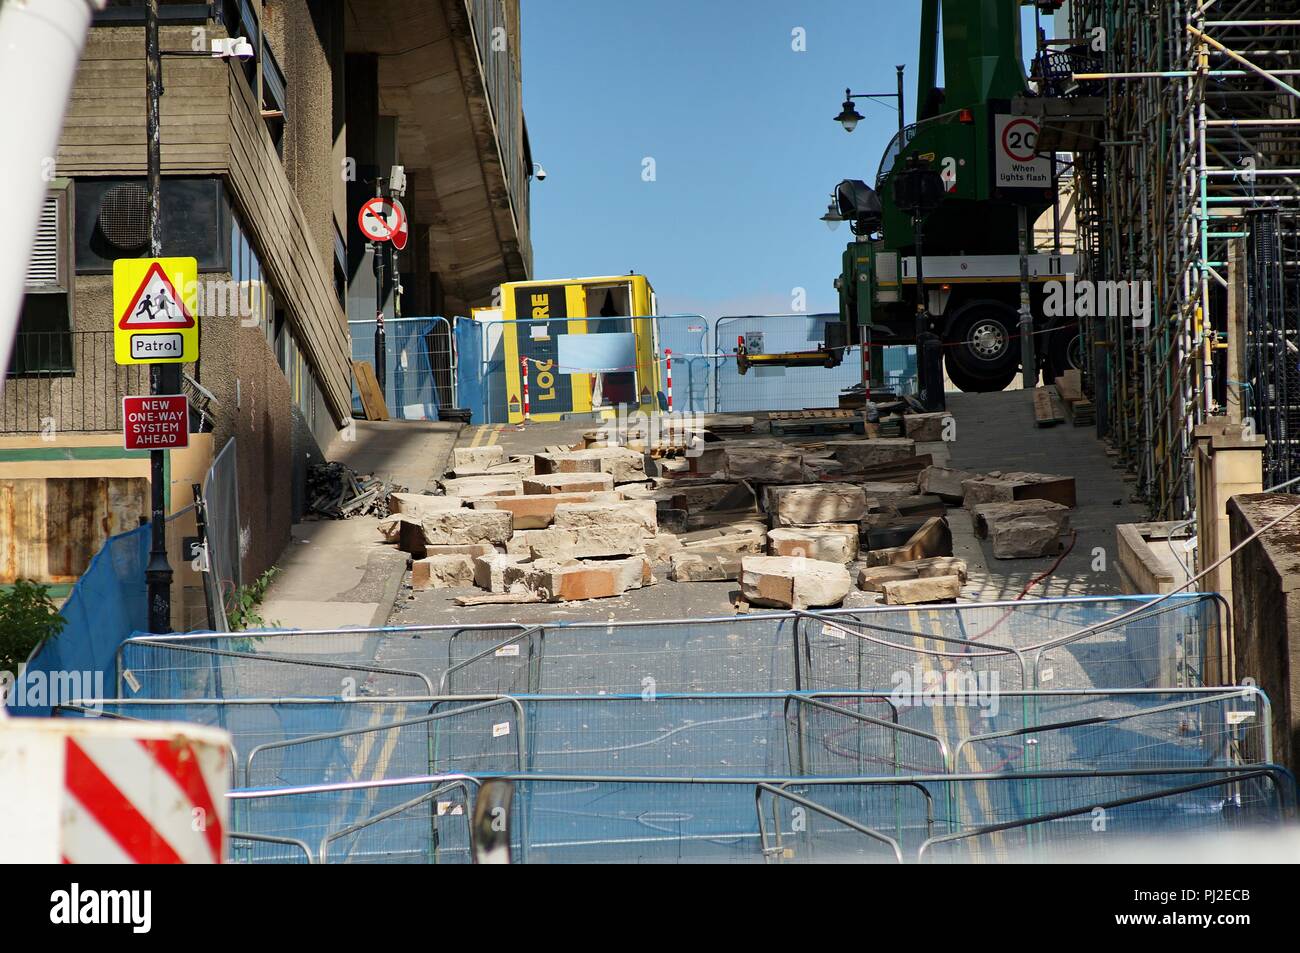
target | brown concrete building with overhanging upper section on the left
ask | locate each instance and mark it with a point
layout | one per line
(266, 164)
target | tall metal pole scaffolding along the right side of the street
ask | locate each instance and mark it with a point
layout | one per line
(1202, 127)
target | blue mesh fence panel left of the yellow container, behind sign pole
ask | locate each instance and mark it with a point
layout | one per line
(421, 365)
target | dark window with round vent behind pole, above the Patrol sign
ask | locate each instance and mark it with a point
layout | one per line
(112, 223)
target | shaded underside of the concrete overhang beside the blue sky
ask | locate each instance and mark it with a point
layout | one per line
(432, 81)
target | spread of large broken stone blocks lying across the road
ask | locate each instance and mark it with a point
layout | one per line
(800, 523)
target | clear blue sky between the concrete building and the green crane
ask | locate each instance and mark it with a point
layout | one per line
(740, 129)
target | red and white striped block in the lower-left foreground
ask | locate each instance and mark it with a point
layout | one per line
(80, 791)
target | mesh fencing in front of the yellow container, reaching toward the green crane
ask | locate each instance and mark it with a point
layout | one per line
(597, 378)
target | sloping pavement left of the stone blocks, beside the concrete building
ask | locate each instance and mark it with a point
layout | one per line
(337, 574)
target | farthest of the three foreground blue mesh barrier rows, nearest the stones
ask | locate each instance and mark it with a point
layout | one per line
(1082, 643)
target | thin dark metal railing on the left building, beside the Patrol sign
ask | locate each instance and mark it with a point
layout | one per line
(67, 382)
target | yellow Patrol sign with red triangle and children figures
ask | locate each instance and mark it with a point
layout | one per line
(154, 311)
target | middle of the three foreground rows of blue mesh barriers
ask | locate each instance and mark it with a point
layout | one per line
(944, 730)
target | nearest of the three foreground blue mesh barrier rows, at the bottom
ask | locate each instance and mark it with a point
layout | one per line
(578, 818)
